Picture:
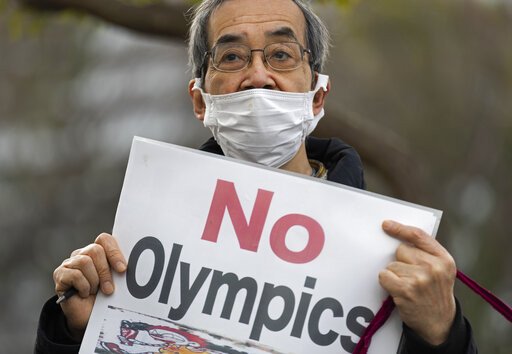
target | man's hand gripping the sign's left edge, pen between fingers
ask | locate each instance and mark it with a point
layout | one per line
(88, 269)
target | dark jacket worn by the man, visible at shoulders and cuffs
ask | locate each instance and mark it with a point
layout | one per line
(344, 166)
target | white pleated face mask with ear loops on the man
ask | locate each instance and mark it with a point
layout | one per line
(261, 125)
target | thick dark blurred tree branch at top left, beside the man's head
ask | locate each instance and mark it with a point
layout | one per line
(160, 19)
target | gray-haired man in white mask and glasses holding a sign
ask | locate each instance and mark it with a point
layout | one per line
(258, 86)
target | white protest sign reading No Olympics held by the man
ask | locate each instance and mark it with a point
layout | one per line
(231, 257)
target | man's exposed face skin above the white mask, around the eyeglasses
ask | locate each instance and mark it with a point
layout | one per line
(257, 23)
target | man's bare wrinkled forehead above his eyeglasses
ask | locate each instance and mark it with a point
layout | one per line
(256, 19)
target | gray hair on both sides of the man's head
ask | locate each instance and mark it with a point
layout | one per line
(317, 36)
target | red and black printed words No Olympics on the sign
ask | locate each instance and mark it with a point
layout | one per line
(249, 234)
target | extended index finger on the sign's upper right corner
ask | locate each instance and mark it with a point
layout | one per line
(413, 235)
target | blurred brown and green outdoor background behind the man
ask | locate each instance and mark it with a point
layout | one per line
(423, 90)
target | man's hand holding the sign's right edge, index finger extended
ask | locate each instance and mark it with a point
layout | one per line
(421, 282)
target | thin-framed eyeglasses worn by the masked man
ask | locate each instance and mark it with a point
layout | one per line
(281, 56)
